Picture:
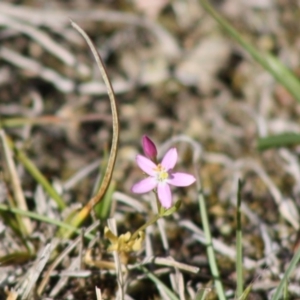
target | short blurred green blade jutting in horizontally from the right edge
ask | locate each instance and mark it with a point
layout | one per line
(279, 140)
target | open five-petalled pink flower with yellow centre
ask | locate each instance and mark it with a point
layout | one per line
(161, 176)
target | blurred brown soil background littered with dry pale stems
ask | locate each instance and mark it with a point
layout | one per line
(179, 79)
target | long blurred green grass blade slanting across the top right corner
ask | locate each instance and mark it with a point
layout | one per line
(267, 61)
